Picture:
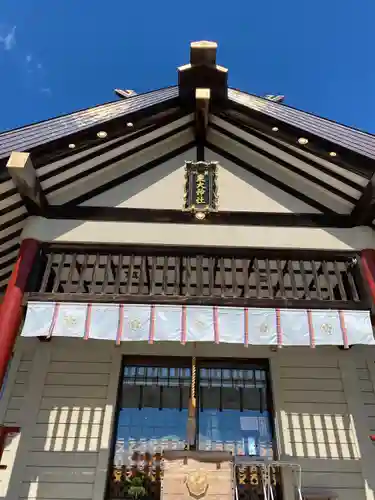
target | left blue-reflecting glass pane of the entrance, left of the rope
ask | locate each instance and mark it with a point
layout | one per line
(153, 411)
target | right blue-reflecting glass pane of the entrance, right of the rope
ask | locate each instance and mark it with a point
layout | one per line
(234, 414)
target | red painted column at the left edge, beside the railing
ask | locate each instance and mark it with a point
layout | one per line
(11, 307)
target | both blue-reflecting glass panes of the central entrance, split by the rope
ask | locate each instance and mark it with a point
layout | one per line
(233, 412)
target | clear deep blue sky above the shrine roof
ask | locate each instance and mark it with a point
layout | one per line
(62, 55)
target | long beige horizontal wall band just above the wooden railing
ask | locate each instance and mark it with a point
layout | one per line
(178, 234)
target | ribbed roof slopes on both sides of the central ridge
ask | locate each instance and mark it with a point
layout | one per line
(31, 136)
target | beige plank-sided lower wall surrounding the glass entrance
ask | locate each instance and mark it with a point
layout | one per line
(63, 393)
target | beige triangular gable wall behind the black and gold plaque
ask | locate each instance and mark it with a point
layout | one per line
(163, 187)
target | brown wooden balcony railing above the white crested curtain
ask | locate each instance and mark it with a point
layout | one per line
(237, 277)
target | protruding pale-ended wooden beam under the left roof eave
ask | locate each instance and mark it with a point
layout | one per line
(22, 171)
